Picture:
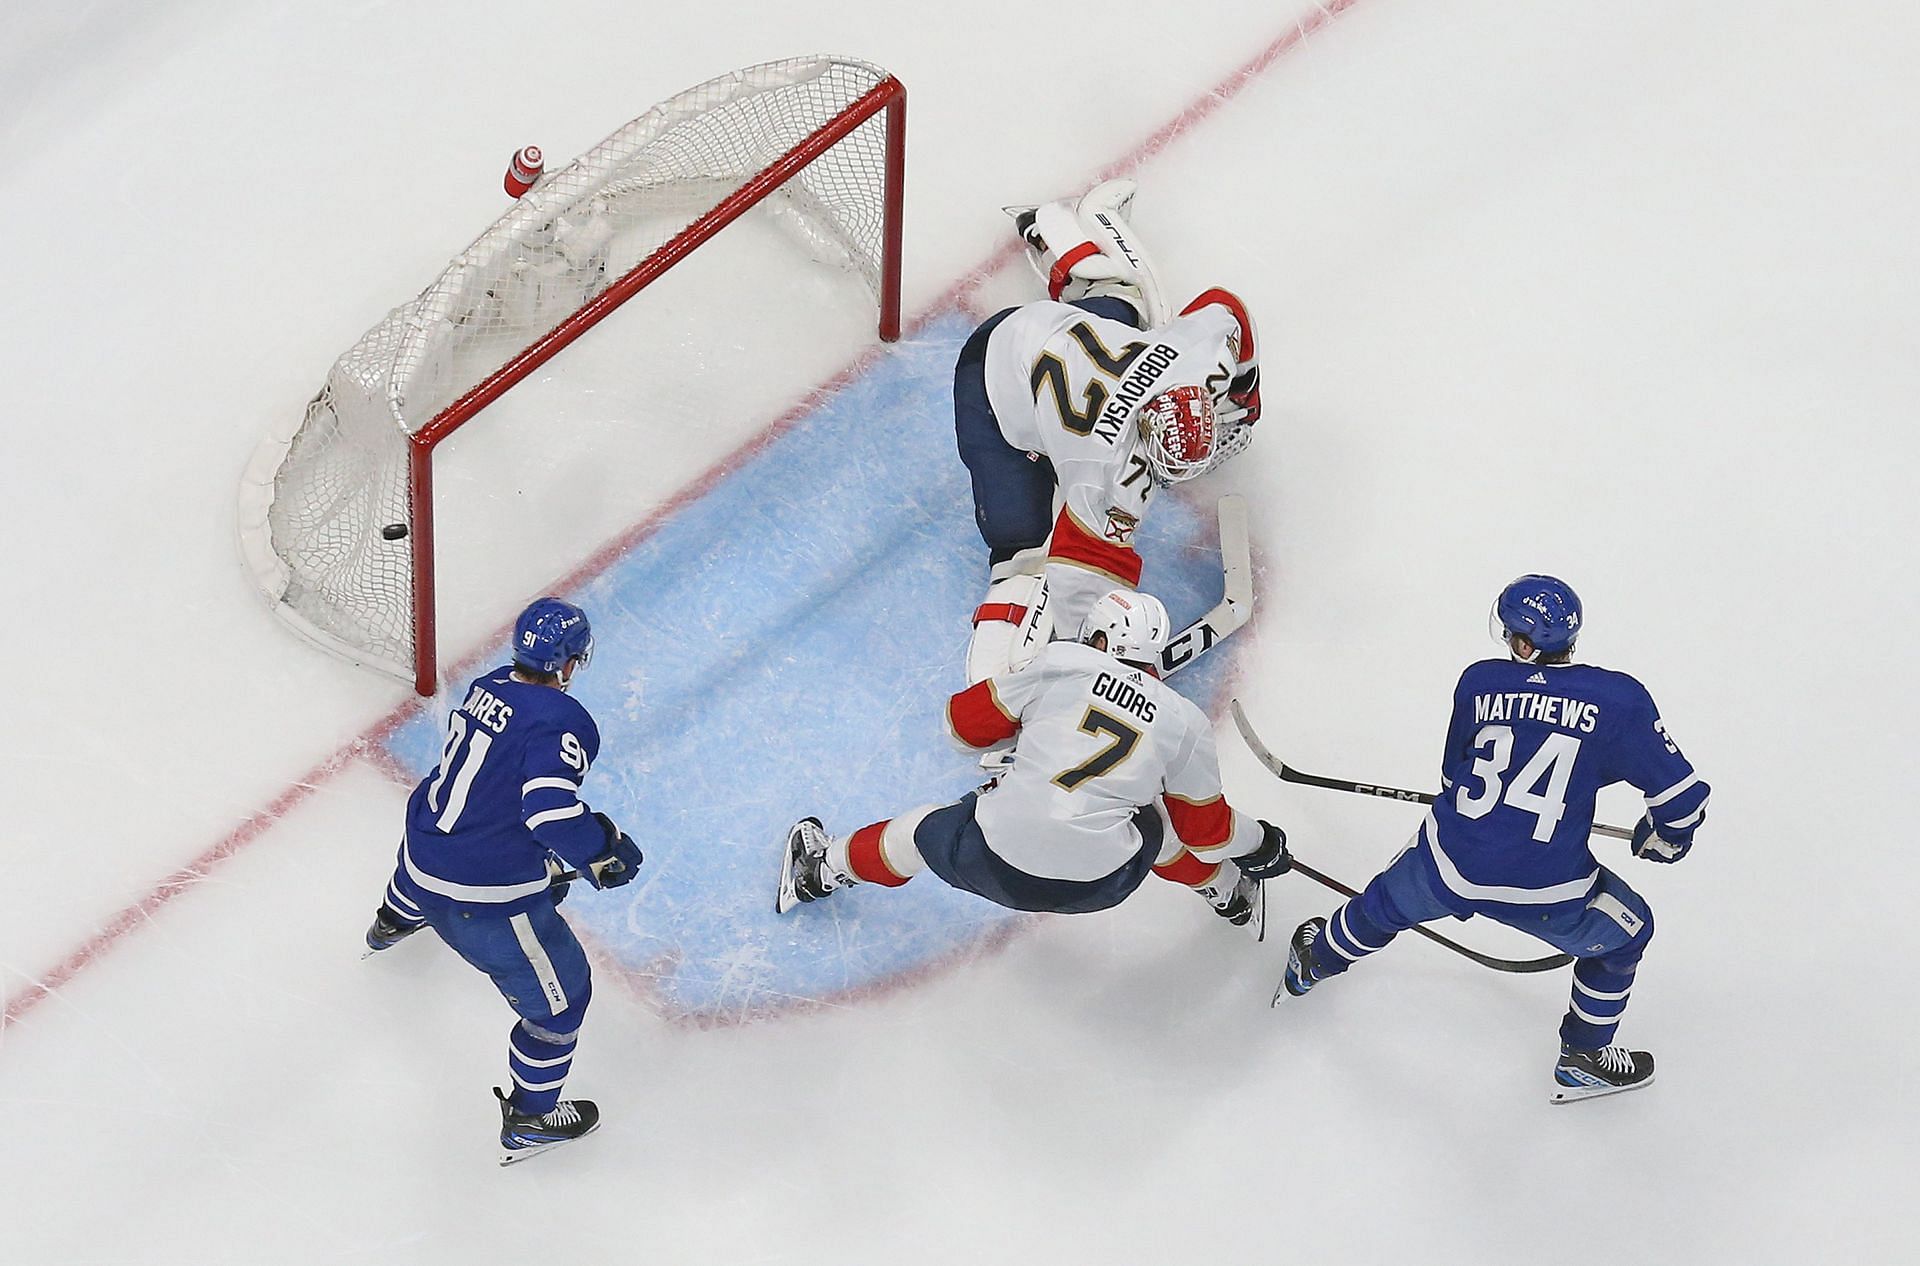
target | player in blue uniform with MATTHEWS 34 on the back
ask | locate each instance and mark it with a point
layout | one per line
(1533, 741)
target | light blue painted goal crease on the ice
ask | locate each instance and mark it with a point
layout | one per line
(784, 646)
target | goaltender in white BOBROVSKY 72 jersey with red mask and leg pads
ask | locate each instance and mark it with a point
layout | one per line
(1074, 410)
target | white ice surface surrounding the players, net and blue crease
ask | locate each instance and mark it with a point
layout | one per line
(1623, 293)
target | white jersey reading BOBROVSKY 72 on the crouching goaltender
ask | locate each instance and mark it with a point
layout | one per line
(1070, 385)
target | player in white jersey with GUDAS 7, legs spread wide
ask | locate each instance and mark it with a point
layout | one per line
(1113, 775)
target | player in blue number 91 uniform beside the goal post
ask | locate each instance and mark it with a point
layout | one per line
(489, 833)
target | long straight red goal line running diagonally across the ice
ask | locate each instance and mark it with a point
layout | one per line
(957, 297)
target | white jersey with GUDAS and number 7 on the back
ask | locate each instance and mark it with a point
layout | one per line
(1095, 743)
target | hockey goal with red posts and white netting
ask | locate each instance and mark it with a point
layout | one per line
(337, 510)
